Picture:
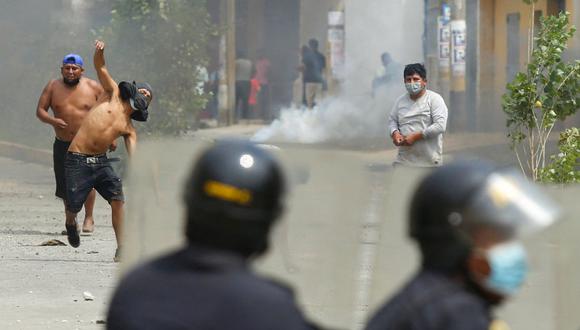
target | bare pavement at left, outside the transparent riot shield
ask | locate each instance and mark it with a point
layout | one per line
(42, 286)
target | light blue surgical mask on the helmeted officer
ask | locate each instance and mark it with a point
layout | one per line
(509, 267)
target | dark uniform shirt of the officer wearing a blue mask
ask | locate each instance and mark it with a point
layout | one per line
(432, 301)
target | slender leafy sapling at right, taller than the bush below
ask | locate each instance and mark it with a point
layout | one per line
(546, 93)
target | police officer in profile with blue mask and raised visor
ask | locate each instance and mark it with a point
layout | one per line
(467, 218)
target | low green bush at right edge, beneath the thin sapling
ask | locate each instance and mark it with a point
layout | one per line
(565, 166)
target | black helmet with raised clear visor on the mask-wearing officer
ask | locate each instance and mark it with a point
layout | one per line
(456, 199)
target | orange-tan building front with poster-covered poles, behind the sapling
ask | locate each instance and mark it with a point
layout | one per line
(495, 49)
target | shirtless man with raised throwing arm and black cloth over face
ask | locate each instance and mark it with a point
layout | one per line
(86, 164)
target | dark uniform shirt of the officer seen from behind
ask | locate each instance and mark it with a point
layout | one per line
(201, 289)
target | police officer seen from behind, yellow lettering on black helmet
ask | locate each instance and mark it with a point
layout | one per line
(233, 197)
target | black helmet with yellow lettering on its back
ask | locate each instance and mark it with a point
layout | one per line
(233, 196)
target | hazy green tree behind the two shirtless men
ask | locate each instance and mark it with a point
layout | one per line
(164, 43)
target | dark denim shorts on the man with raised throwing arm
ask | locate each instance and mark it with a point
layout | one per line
(85, 172)
